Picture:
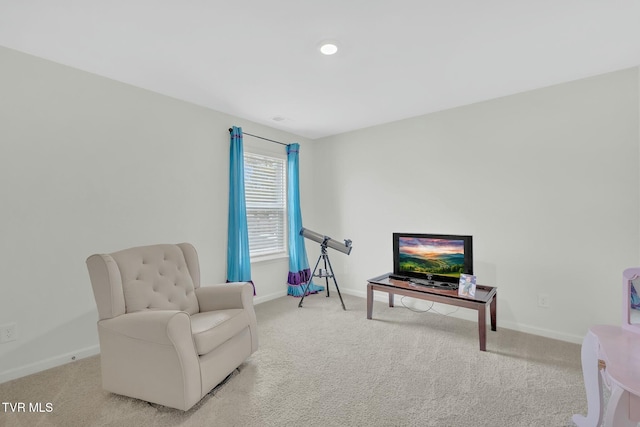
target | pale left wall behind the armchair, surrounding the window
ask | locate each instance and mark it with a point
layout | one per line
(91, 165)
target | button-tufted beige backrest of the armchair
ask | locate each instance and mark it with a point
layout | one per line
(157, 277)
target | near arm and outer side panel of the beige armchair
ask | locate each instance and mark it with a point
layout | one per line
(151, 355)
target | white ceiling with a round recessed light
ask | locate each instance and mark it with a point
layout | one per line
(259, 60)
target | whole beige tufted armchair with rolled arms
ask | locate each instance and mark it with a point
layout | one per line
(163, 338)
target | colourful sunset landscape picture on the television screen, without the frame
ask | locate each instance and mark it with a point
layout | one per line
(443, 257)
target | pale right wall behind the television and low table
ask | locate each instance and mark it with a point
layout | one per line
(546, 182)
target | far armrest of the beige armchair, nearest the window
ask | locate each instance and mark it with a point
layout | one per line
(225, 296)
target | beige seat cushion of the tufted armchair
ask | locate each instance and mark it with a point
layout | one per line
(212, 328)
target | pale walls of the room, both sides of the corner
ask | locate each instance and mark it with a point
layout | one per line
(546, 181)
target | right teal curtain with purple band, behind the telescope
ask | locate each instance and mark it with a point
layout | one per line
(299, 271)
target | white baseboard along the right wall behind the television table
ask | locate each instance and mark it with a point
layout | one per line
(470, 314)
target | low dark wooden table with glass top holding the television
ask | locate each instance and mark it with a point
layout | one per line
(485, 296)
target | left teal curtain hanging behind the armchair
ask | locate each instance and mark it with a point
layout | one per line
(238, 258)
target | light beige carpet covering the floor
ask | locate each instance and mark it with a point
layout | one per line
(322, 366)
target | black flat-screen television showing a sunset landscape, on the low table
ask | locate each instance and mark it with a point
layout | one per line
(438, 257)
